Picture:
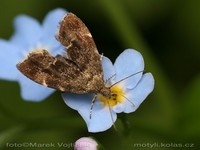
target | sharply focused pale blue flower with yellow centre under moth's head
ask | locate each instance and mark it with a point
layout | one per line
(130, 92)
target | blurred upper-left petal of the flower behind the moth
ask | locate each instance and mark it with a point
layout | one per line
(27, 32)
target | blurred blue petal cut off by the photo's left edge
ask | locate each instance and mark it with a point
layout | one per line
(9, 57)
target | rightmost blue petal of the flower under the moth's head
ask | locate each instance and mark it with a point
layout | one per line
(139, 94)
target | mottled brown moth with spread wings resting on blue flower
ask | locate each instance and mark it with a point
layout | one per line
(79, 70)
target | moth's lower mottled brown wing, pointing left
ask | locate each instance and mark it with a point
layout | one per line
(55, 72)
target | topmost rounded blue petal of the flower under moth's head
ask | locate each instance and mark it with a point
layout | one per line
(128, 63)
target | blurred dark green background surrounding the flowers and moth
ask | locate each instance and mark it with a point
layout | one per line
(166, 32)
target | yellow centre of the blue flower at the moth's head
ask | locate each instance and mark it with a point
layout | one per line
(116, 97)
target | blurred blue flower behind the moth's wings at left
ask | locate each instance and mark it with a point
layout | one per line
(29, 35)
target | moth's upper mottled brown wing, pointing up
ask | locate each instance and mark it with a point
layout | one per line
(81, 48)
